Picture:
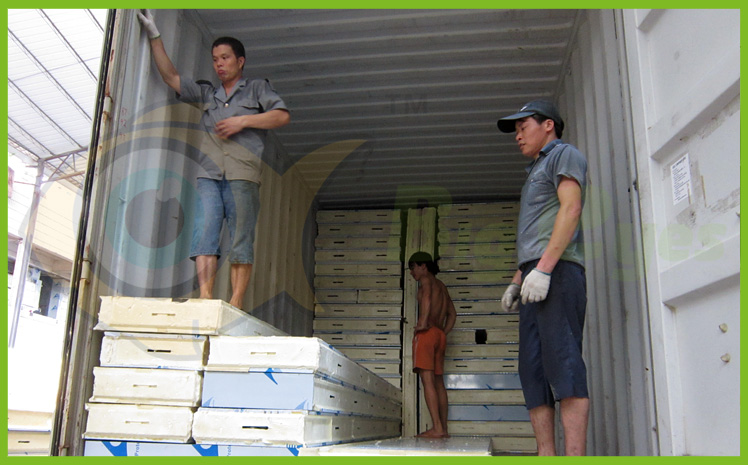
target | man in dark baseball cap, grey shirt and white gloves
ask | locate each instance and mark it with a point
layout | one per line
(550, 286)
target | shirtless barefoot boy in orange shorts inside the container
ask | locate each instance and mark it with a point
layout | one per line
(436, 318)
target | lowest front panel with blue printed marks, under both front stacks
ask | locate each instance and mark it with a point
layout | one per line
(163, 449)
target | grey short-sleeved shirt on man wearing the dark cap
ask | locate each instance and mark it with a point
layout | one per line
(539, 204)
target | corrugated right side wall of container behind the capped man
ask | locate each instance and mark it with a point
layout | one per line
(616, 342)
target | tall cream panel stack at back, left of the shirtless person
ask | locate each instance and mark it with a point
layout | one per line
(358, 287)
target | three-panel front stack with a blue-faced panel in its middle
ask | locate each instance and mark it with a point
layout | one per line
(297, 391)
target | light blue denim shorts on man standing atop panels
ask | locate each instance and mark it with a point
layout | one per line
(239, 203)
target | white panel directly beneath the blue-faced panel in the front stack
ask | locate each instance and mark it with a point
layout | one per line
(276, 427)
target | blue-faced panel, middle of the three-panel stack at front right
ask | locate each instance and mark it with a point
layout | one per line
(292, 391)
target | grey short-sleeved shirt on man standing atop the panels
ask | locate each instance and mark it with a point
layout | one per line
(239, 156)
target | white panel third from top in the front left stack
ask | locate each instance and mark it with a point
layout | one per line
(147, 386)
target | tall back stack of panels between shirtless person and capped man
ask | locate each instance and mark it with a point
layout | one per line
(476, 244)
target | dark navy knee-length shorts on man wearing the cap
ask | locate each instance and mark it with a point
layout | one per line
(550, 338)
